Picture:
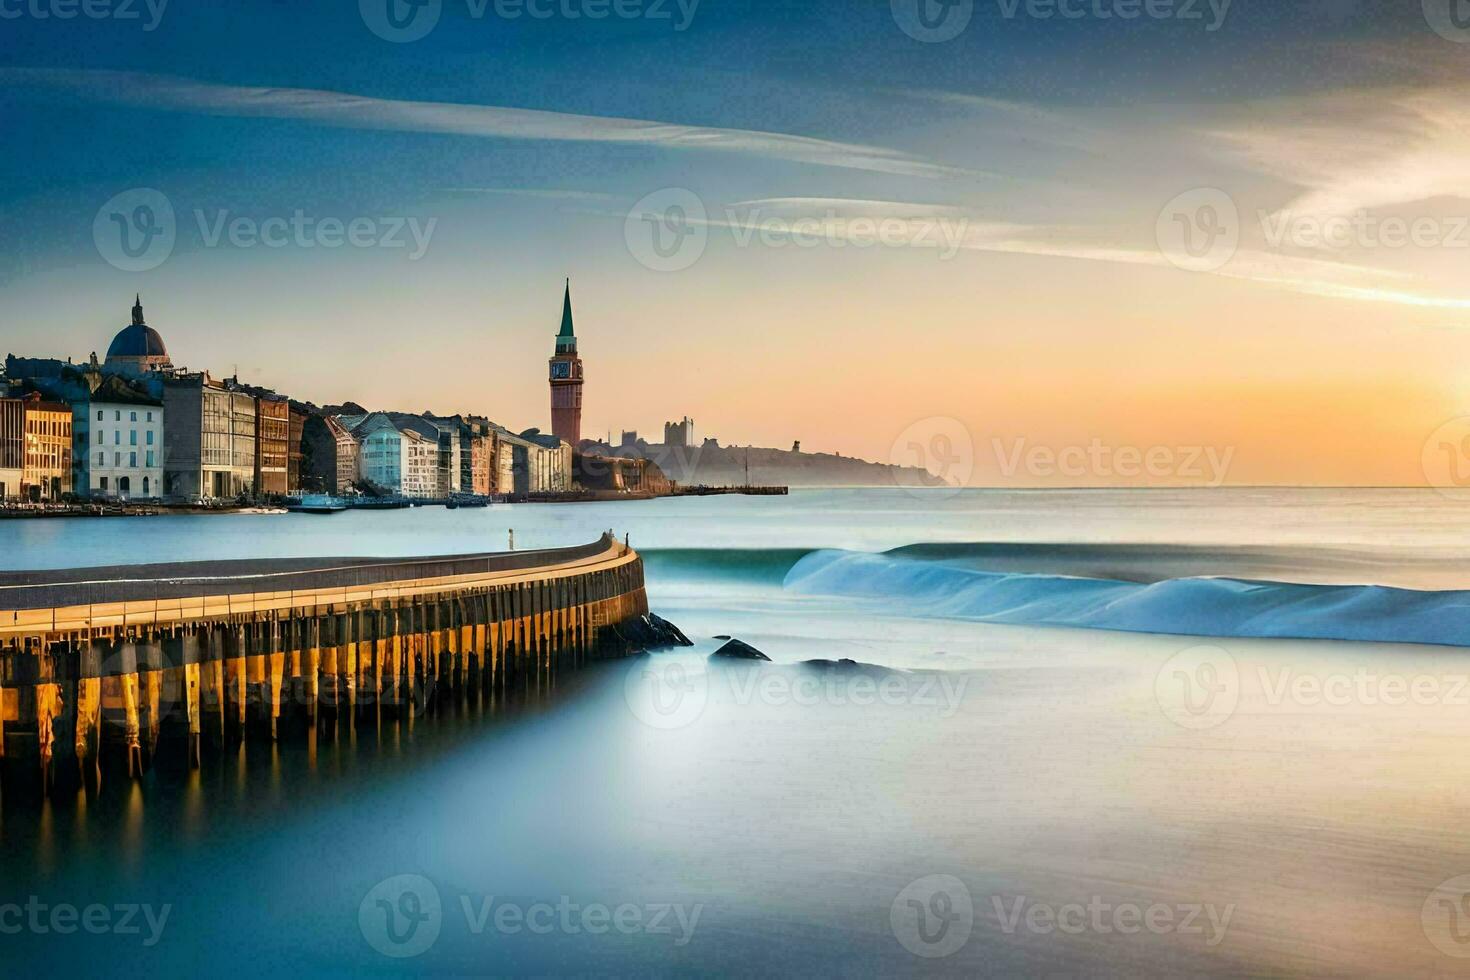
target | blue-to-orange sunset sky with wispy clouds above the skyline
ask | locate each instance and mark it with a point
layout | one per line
(1018, 242)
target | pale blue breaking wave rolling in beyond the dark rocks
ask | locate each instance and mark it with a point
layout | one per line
(947, 583)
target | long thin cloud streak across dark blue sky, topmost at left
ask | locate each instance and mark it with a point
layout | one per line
(498, 123)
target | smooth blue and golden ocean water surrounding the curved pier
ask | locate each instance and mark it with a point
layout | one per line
(1106, 734)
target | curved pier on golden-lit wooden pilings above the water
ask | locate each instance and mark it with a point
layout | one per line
(127, 668)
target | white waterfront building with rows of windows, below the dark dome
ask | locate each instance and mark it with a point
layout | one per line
(118, 442)
